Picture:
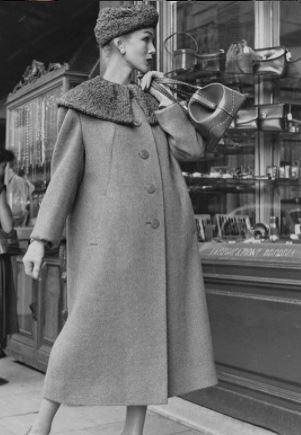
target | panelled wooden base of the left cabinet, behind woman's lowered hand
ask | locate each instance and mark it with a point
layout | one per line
(42, 311)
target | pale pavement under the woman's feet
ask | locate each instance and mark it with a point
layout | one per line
(20, 389)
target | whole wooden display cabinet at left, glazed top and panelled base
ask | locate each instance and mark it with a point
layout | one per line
(31, 134)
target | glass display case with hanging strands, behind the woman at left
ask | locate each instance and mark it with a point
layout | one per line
(31, 134)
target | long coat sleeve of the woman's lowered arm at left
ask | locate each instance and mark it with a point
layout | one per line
(66, 174)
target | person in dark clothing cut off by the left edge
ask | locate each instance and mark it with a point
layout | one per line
(8, 303)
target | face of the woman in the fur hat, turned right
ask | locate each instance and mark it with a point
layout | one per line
(139, 49)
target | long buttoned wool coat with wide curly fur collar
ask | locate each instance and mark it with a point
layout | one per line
(138, 329)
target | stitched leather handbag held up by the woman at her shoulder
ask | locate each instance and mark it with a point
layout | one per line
(211, 108)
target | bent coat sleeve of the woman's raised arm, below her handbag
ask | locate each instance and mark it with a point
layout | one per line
(185, 142)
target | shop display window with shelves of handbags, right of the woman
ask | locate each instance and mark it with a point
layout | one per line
(252, 182)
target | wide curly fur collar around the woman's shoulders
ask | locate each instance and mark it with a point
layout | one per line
(110, 101)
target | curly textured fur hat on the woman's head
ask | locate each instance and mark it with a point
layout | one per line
(117, 21)
